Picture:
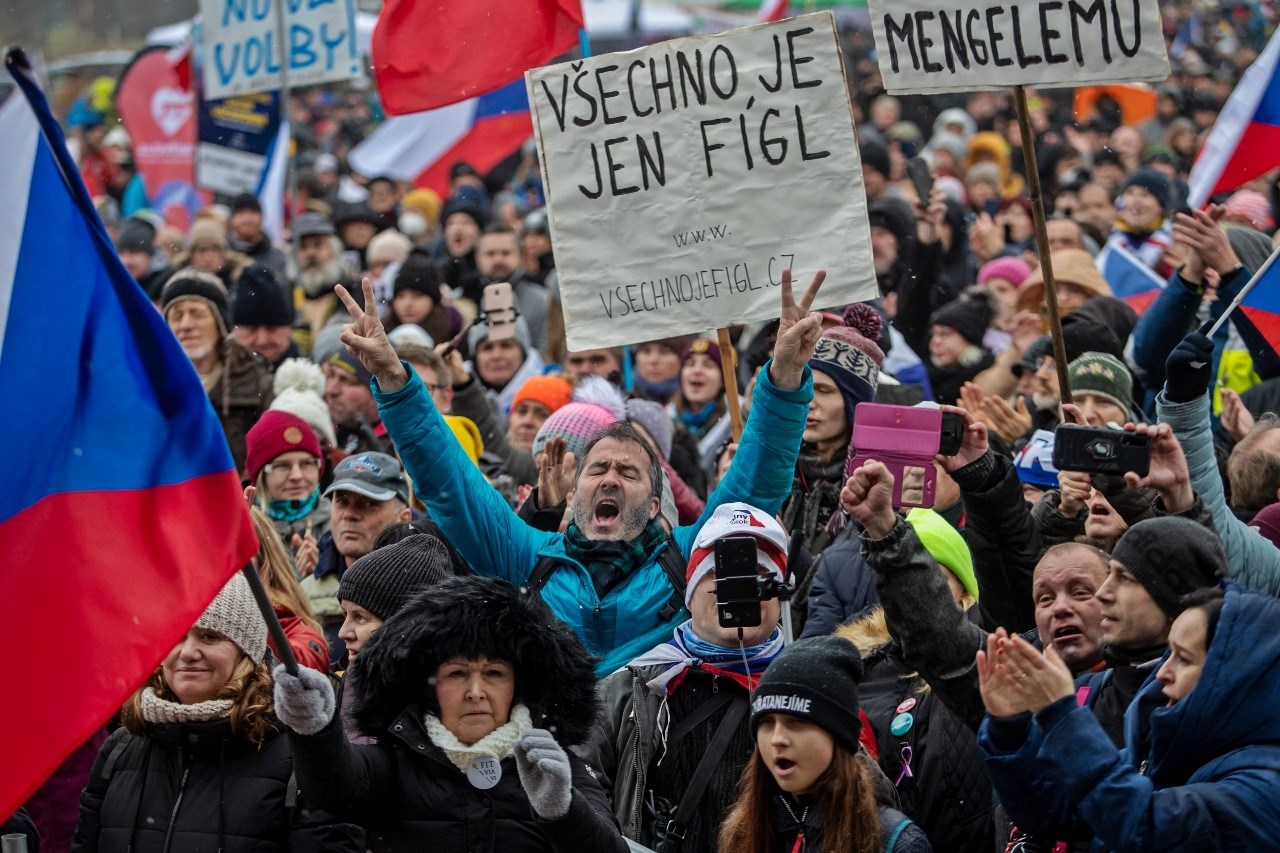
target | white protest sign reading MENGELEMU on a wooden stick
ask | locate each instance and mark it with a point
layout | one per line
(926, 47)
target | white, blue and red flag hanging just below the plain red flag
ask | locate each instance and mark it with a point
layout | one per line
(420, 148)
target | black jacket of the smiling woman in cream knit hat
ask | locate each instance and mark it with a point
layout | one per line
(196, 788)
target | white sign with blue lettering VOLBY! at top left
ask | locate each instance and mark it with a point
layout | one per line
(243, 44)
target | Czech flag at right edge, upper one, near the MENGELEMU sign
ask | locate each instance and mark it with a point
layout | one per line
(1246, 139)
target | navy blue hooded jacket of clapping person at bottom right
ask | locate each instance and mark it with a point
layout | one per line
(1209, 777)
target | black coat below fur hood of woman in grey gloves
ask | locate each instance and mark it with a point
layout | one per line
(410, 799)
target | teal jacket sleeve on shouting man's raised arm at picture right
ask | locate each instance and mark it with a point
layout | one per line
(764, 469)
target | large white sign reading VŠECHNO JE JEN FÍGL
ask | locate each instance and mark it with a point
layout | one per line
(684, 177)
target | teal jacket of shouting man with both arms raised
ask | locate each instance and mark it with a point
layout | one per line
(625, 623)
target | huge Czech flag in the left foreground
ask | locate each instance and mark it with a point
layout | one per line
(122, 514)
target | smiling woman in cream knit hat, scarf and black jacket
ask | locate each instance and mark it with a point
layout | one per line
(202, 764)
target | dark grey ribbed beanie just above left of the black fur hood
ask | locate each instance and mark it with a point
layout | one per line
(385, 581)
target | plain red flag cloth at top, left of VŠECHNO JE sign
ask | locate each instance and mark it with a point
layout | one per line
(435, 53)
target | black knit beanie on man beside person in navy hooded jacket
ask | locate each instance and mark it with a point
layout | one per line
(1172, 558)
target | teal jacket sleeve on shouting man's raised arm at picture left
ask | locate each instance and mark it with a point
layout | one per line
(479, 523)
